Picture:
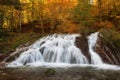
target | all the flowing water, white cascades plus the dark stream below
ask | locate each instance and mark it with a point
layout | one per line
(56, 57)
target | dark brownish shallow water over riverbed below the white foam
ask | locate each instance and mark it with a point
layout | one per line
(71, 73)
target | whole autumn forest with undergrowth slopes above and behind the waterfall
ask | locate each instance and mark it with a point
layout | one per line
(24, 21)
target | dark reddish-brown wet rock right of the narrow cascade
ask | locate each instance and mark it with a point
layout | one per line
(107, 52)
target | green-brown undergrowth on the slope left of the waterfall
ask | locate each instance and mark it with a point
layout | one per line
(10, 43)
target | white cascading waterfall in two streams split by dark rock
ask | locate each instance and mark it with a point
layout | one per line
(58, 49)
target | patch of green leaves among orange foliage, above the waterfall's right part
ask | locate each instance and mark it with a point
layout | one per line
(82, 13)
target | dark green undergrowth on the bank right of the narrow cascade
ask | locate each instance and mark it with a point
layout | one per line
(111, 39)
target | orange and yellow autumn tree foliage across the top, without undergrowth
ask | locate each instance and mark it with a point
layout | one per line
(59, 15)
